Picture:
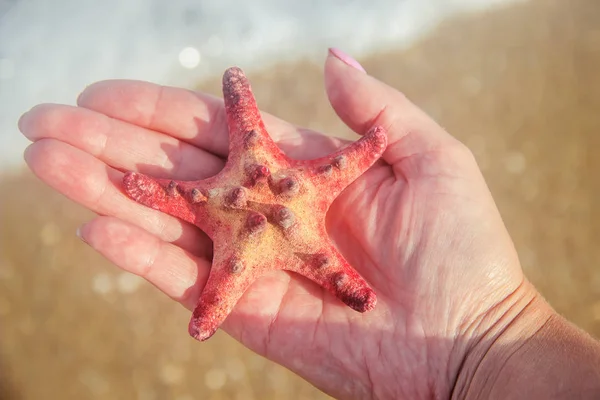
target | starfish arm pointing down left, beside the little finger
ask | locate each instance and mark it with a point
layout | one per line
(229, 278)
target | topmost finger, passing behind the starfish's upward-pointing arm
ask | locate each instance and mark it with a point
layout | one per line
(193, 117)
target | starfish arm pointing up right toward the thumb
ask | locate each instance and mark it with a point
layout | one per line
(336, 171)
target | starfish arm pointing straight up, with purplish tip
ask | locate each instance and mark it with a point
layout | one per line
(246, 128)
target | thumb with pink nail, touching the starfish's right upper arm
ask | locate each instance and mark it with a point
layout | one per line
(363, 102)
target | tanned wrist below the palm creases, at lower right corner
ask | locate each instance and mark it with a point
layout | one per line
(535, 354)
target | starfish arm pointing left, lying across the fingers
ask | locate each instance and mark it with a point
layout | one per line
(160, 194)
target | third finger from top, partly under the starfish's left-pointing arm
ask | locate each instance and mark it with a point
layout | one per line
(91, 183)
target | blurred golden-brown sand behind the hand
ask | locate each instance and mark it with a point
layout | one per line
(520, 86)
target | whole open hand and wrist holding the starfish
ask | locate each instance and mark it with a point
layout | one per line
(455, 316)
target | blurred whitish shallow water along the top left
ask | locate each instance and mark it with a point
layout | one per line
(50, 50)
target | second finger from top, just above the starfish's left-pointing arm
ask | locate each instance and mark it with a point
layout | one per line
(123, 146)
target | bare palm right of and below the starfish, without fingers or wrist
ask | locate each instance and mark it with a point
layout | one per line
(398, 226)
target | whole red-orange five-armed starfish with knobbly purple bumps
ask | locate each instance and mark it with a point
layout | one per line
(264, 211)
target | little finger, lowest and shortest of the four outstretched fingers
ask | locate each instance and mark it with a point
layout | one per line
(175, 272)
